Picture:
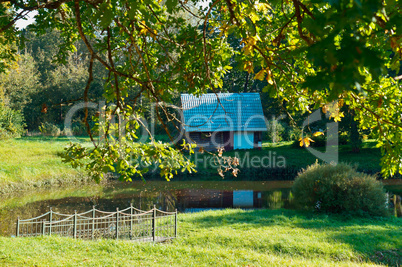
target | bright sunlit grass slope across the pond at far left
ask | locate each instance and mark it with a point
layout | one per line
(30, 162)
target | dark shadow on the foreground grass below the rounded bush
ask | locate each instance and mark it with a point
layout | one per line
(378, 240)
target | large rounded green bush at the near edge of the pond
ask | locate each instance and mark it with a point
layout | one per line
(339, 189)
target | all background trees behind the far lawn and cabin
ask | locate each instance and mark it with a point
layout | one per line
(37, 92)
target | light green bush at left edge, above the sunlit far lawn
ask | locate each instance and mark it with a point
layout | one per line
(11, 123)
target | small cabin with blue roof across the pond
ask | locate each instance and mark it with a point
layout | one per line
(232, 121)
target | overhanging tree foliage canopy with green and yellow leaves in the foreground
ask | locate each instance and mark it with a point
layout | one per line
(310, 53)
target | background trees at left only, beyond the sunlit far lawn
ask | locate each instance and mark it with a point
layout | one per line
(40, 89)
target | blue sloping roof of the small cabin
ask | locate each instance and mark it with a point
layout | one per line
(233, 112)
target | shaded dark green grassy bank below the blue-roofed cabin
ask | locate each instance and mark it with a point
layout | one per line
(281, 161)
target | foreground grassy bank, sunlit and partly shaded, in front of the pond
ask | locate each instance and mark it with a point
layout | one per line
(229, 238)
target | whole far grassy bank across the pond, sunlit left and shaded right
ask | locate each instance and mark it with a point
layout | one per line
(35, 162)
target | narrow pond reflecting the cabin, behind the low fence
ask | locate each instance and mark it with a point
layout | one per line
(168, 196)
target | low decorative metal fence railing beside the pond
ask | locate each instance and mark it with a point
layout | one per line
(154, 225)
